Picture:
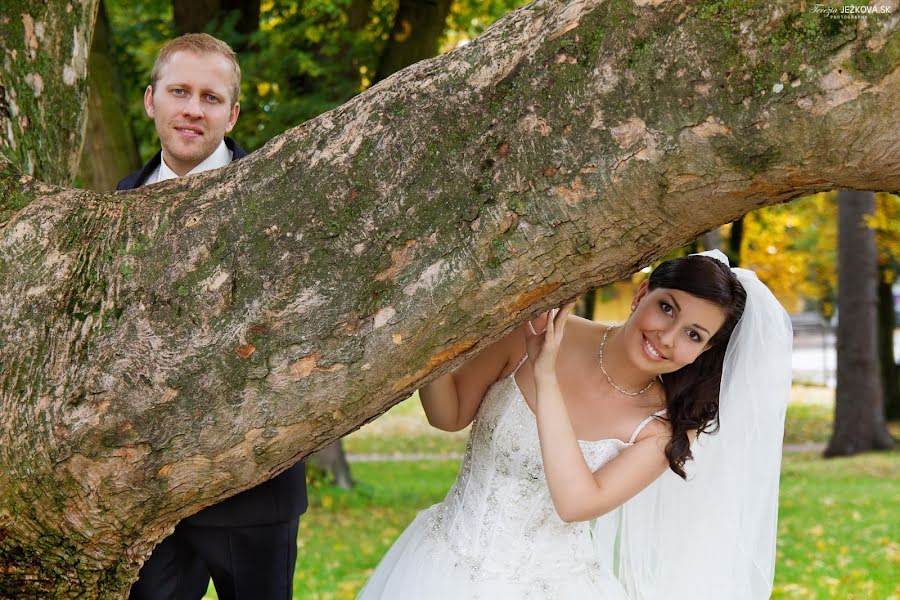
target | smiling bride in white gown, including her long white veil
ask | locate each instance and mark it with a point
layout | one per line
(572, 420)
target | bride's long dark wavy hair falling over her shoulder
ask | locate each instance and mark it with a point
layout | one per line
(692, 392)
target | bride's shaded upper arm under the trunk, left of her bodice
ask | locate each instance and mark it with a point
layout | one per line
(452, 400)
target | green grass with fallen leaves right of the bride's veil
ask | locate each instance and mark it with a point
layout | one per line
(839, 527)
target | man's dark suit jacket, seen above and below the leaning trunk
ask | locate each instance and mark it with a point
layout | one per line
(279, 499)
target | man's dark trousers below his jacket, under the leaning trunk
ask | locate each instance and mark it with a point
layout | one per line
(253, 562)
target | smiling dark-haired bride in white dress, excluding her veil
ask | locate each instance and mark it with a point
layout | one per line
(565, 428)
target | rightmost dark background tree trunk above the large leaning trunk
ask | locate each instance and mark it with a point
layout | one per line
(418, 27)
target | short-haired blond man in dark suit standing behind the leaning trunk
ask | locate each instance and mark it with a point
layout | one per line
(247, 543)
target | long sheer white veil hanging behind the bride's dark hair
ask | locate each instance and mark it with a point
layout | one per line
(713, 536)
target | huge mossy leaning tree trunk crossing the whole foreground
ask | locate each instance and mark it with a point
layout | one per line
(165, 348)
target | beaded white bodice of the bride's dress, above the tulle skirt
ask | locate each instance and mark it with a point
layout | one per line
(499, 515)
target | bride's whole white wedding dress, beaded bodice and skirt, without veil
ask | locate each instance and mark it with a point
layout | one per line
(496, 535)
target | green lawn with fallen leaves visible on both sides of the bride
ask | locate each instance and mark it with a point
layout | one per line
(839, 530)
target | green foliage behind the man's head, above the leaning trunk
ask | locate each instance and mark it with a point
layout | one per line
(304, 60)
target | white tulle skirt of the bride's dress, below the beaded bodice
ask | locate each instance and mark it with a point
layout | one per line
(421, 565)
